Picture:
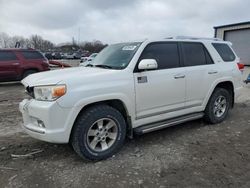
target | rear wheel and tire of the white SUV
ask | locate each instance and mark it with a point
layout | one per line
(218, 106)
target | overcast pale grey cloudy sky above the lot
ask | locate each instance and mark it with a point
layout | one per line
(113, 21)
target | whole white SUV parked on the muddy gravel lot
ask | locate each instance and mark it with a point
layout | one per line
(134, 87)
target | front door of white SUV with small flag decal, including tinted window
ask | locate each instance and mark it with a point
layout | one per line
(162, 90)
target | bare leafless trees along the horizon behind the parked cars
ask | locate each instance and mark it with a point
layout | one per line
(38, 43)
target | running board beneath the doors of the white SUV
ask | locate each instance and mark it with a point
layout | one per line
(167, 123)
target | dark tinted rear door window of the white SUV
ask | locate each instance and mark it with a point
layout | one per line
(194, 54)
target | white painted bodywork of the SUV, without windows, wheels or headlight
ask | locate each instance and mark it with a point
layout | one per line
(145, 103)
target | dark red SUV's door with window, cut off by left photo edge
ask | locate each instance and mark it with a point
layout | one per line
(9, 66)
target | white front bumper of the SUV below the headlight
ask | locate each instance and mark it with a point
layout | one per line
(45, 121)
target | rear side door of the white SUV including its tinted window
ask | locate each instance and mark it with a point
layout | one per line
(201, 72)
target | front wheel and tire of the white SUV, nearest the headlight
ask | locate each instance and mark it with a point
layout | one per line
(98, 133)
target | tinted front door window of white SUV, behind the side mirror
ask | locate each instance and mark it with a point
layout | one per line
(166, 54)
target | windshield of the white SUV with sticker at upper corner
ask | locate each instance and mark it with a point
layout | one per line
(116, 56)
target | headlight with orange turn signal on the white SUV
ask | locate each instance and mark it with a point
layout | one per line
(49, 93)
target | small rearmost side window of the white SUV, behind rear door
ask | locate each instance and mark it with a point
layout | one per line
(225, 51)
